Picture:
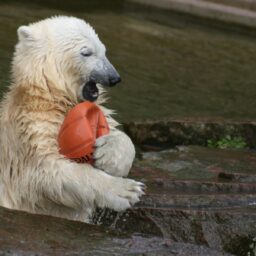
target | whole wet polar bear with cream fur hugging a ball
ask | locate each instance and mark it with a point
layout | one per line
(59, 62)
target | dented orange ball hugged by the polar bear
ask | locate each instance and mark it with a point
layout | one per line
(82, 126)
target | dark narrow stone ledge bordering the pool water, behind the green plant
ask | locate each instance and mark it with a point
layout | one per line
(169, 133)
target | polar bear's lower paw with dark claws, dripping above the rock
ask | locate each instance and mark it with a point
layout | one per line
(120, 194)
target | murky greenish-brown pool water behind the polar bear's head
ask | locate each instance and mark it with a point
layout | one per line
(171, 65)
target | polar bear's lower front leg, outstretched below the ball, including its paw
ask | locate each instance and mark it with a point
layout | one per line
(79, 187)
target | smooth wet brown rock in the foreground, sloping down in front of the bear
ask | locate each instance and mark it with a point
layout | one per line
(27, 234)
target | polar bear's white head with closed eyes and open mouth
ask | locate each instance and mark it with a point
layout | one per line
(65, 54)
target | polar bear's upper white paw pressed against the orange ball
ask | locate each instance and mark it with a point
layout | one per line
(114, 153)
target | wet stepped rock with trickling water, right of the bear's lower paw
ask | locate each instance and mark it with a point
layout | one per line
(195, 195)
